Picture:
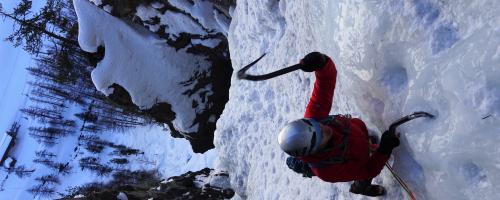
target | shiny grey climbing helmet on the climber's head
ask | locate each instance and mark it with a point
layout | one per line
(300, 137)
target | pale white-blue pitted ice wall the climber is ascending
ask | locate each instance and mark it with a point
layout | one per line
(393, 58)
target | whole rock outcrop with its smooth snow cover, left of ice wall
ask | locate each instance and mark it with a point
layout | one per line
(183, 70)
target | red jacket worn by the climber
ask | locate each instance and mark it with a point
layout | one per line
(359, 164)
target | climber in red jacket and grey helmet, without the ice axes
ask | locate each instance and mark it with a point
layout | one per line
(334, 148)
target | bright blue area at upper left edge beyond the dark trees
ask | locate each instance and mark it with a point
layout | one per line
(13, 74)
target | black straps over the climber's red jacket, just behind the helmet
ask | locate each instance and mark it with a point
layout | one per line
(345, 130)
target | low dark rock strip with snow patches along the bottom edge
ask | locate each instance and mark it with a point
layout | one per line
(204, 184)
